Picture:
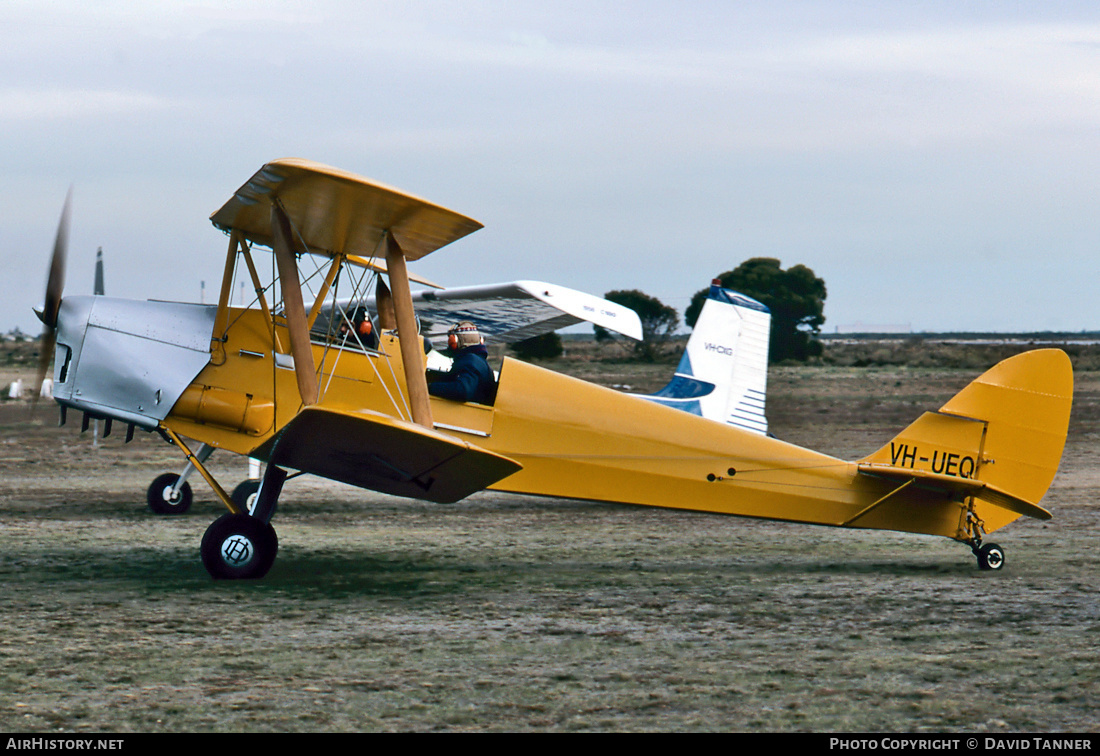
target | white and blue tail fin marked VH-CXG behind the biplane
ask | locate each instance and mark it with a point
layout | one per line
(723, 375)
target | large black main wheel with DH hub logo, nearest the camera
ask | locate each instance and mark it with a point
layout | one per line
(239, 547)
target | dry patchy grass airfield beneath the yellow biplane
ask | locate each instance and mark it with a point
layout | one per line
(505, 613)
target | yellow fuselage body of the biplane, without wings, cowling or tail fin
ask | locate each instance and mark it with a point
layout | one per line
(573, 439)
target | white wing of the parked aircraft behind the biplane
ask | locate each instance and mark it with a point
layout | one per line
(518, 311)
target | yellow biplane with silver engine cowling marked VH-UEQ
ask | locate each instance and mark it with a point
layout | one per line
(281, 382)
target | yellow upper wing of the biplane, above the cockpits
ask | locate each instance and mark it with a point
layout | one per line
(334, 212)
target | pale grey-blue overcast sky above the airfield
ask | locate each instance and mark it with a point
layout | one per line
(937, 163)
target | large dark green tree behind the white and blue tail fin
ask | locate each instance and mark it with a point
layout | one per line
(795, 297)
